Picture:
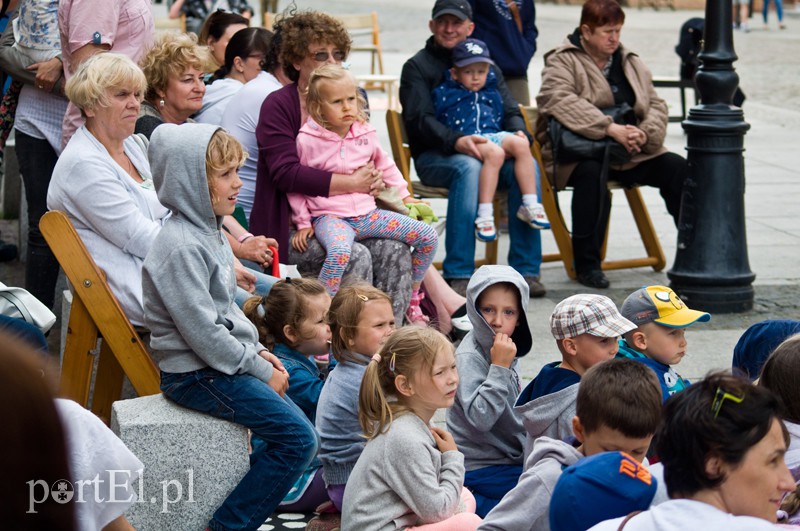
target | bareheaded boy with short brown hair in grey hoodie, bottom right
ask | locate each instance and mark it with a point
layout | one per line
(618, 409)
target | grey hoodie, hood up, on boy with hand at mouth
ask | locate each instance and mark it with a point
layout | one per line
(482, 420)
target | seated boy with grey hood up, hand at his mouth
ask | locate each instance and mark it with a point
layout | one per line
(482, 420)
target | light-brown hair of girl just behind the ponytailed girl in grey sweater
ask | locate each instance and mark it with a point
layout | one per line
(345, 313)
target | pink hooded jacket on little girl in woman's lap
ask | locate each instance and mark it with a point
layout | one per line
(325, 150)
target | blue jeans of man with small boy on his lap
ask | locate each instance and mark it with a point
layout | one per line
(459, 173)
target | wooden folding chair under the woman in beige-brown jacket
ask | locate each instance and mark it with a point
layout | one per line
(655, 254)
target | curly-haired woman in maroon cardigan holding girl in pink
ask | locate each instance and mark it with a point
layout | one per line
(308, 40)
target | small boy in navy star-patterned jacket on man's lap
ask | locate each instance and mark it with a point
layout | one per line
(469, 101)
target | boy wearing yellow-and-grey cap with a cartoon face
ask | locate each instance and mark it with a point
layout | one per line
(659, 341)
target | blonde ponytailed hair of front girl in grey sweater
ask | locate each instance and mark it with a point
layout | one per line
(408, 351)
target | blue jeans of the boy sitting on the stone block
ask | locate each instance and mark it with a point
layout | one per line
(289, 440)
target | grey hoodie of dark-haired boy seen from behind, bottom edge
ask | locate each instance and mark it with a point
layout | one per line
(527, 506)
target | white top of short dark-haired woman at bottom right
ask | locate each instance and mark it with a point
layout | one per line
(685, 515)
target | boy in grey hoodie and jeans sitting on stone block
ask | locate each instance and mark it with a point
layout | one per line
(208, 351)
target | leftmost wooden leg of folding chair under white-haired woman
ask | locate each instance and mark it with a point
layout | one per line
(76, 368)
